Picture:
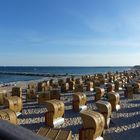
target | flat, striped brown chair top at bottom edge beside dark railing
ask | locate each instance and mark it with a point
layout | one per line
(55, 134)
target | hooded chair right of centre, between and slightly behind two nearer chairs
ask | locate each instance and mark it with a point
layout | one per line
(99, 93)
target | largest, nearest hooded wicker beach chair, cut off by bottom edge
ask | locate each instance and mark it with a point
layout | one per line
(93, 125)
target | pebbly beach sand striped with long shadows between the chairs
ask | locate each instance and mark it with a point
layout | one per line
(125, 123)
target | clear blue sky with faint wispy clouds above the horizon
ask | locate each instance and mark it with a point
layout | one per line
(69, 32)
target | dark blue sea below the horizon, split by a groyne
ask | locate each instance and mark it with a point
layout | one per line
(4, 78)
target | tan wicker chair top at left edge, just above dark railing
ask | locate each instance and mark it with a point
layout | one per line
(8, 115)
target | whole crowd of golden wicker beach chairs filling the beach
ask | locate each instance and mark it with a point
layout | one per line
(48, 93)
